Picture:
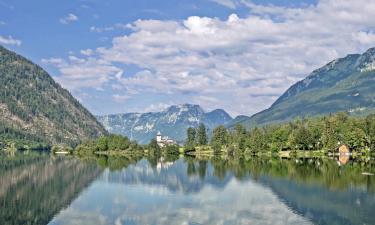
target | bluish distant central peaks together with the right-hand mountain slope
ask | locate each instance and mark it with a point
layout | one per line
(346, 84)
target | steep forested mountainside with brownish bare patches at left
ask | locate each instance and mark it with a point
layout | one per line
(35, 109)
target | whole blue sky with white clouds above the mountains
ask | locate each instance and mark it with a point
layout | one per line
(118, 56)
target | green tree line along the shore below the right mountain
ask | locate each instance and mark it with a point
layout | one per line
(319, 133)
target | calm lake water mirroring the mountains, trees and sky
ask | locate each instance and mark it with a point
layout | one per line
(43, 189)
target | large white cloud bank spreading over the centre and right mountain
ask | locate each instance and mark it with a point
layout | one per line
(244, 62)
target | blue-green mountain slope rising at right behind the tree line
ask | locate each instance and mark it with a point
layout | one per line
(345, 84)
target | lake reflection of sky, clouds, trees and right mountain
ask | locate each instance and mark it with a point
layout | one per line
(227, 191)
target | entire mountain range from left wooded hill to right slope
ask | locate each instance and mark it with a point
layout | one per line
(34, 108)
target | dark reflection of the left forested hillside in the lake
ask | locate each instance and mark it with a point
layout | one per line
(33, 188)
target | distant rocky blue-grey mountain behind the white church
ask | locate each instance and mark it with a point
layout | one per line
(172, 122)
